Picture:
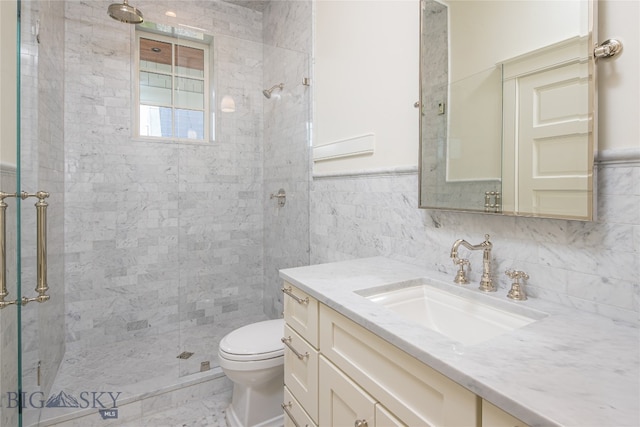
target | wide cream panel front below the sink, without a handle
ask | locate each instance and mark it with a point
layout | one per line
(414, 392)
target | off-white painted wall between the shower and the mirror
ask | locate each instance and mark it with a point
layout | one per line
(366, 80)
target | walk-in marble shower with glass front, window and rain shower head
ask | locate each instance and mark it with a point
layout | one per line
(157, 247)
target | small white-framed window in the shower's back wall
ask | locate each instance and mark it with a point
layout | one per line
(172, 91)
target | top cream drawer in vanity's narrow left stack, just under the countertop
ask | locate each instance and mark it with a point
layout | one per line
(301, 313)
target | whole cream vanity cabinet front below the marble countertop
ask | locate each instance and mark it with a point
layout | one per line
(338, 373)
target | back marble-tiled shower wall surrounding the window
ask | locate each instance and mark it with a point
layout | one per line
(160, 235)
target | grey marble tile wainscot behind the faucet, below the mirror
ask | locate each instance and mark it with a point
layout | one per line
(592, 266)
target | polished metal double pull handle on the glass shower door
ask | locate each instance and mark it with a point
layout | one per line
(41, 248)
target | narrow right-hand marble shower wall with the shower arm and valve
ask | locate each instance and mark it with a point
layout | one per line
(287, 38)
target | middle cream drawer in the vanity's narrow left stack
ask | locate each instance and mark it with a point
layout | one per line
(301, 371)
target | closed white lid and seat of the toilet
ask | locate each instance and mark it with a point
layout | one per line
(261, 340)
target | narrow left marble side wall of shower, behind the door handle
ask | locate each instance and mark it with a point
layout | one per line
(41, 168)
